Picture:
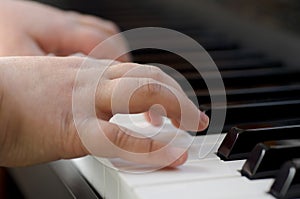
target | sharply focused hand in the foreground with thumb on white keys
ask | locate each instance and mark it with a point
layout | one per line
(37, 119)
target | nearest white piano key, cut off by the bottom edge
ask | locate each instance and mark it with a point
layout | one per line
(225, 188)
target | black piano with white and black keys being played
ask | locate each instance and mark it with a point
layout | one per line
(256, 153)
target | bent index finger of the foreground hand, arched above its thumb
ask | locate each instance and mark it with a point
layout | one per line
(137, 95)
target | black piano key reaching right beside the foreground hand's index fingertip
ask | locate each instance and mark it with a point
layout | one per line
(256, 112)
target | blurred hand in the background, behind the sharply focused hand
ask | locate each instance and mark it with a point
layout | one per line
(30, 28)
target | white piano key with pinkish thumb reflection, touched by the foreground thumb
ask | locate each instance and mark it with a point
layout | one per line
(195, 170)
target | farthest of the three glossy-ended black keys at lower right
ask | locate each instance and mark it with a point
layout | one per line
(238, 142)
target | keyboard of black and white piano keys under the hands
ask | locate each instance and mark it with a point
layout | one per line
(263, 103)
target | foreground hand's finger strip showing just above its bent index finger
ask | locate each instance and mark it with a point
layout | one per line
(143, 71)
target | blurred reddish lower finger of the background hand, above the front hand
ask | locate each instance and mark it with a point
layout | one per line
(76, 38)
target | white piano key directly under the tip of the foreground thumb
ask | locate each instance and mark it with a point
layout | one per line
(194, 170)
